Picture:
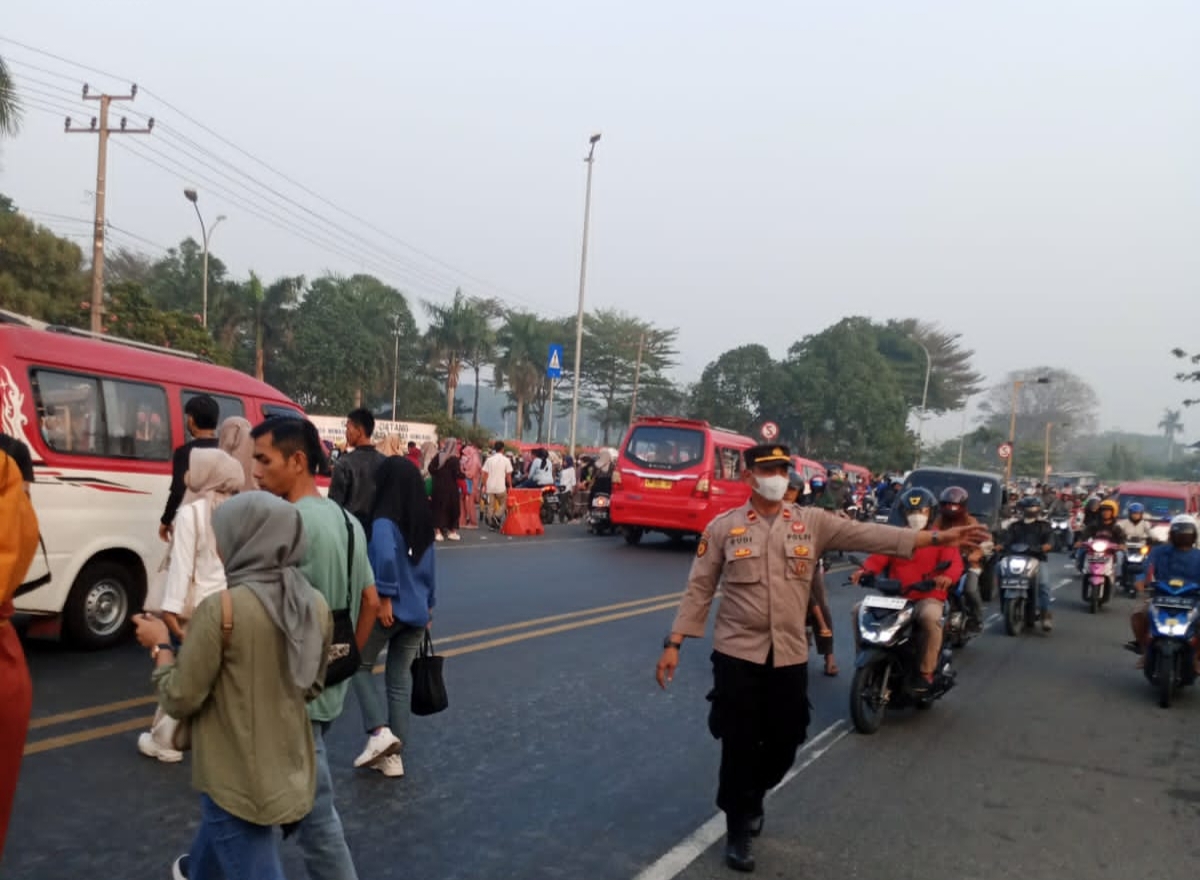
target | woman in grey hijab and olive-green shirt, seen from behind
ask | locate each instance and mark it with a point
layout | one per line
(253, 744)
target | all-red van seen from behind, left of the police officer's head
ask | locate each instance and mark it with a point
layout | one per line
(675, 476)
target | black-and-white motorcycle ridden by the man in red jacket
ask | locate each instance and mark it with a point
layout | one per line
(887, 662)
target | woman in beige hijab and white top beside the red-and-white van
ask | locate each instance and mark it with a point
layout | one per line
(195, 571)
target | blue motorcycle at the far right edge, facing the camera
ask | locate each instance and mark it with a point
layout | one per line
(1171, 658)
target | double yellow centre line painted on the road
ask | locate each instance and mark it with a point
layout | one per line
(82, 737)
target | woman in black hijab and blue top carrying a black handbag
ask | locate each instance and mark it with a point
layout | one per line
(401, 552)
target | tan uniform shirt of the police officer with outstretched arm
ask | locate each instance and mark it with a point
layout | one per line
(766, 571)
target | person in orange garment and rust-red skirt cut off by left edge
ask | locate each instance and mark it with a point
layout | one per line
(19, 543)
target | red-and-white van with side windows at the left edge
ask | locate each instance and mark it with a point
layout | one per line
(101, 417)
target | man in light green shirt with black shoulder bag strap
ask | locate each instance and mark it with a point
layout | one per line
(287, 457)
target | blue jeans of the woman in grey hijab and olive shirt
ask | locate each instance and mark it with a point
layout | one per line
(229, 848)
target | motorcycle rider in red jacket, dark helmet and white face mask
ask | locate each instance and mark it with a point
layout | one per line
(919, 506)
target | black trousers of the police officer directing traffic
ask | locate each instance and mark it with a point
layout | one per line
(761, 716)
